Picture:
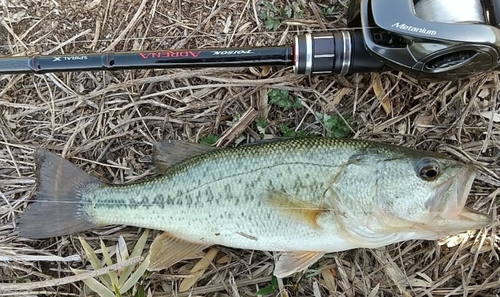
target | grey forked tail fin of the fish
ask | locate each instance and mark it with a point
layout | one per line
(59, 208)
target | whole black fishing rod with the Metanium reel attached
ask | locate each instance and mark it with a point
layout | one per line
(426, 39)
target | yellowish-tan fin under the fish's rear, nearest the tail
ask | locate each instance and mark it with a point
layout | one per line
(166, 250)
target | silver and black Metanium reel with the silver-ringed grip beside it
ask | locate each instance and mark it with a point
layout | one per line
(426, 39)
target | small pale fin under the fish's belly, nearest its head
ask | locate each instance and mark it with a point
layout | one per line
(291, 262)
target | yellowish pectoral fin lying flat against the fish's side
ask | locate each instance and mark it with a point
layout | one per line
(296, 208)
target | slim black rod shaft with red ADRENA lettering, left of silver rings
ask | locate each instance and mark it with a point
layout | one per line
(161, 59)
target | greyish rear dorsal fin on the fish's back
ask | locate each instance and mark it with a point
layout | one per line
(170, 152)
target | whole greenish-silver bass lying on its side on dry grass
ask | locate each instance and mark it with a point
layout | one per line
(301, 197)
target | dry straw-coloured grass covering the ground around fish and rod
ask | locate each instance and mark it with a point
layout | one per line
(105, 122)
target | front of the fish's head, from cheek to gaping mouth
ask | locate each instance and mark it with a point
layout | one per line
(427, 192)
